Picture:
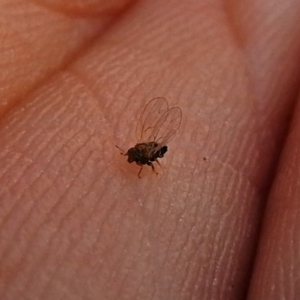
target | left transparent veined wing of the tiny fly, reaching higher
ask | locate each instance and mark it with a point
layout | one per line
(153, 114)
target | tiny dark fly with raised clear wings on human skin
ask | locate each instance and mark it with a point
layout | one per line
(157, 125)
